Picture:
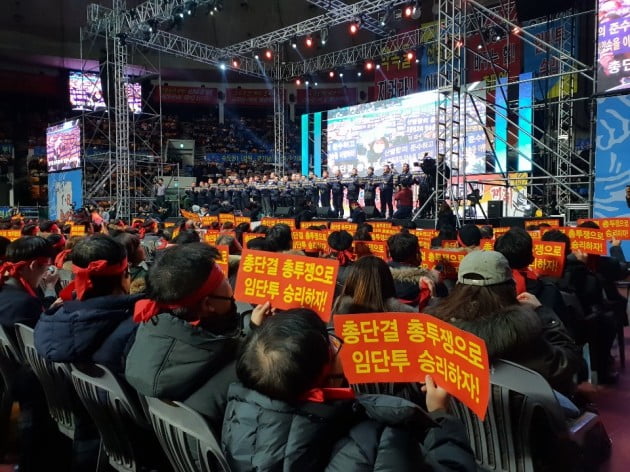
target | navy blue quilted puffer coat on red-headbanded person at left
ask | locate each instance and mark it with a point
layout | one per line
(98, 330)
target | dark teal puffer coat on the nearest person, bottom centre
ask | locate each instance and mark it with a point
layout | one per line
(371, 433)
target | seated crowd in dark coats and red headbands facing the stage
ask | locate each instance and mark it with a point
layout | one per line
(150, 303)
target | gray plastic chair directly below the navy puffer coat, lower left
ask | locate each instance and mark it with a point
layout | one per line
(125, 433)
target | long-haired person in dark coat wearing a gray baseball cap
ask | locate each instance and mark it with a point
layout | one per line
(484, 302)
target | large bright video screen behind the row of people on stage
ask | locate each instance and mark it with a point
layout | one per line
(398, 131)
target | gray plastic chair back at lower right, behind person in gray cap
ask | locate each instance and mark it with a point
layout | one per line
(521, 405)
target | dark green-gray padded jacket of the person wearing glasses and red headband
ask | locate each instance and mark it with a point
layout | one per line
(174, 360)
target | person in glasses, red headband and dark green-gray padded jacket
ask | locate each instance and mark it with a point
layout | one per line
(189, 332)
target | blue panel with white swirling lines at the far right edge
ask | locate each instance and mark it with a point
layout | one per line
(612, 159)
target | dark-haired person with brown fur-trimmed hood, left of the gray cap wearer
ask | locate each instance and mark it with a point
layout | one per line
(413, 284)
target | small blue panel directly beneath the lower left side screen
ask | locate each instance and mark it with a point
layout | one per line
(64, 190)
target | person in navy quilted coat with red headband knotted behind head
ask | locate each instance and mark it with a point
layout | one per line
(94, 322)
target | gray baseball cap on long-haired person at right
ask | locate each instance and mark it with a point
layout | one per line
(488, 267)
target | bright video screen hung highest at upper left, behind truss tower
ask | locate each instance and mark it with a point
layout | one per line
(86, 92)
